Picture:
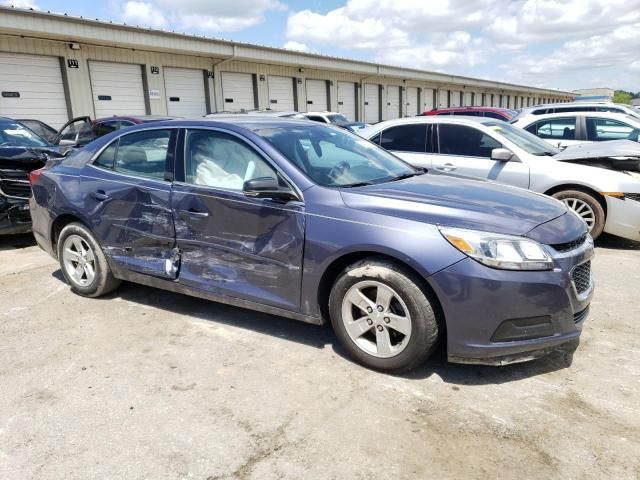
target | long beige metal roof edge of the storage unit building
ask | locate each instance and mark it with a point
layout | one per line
(65, 27)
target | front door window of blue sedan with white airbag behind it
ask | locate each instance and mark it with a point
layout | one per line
(219, 160)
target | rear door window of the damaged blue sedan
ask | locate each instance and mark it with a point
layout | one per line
(143, 153)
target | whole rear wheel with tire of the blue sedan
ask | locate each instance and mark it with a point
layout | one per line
(76, 266)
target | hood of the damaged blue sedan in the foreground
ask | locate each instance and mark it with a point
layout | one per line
(459, 202)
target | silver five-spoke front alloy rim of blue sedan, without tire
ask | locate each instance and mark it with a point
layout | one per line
(376, 319)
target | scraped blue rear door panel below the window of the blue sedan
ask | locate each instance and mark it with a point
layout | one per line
(132, 219)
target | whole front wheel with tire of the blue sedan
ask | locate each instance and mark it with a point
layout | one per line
(384, 341)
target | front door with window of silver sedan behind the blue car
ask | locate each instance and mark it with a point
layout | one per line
(467, 151)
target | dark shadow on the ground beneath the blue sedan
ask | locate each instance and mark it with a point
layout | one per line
(323, 336)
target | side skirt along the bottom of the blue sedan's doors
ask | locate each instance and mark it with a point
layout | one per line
(175, 286)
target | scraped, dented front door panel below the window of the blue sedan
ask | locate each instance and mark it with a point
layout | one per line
(243, 247)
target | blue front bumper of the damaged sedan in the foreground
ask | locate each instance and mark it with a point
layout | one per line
(495, 317)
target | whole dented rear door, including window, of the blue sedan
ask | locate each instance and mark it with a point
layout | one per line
(127, 193)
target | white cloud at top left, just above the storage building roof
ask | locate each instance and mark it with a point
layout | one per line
(206, 16)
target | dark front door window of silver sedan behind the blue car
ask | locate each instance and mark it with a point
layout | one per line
(465, 141)
